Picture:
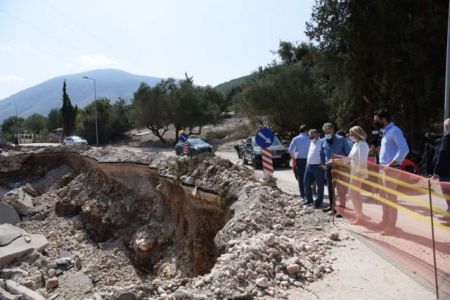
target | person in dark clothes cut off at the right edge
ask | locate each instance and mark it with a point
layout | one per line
(442, 168)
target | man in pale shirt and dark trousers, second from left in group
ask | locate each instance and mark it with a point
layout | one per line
(315, 169)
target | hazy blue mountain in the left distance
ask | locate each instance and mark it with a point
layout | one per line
(45, 96)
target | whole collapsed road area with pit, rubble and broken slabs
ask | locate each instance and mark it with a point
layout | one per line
(126, 225)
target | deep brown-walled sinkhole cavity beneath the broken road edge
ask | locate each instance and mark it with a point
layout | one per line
(156, 217)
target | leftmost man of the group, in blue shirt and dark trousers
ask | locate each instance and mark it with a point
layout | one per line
(299, 151)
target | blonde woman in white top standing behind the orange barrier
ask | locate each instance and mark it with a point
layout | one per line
(358, 160)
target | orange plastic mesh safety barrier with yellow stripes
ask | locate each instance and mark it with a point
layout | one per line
(407, 215)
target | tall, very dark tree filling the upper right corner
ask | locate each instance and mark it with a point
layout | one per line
(382, 54)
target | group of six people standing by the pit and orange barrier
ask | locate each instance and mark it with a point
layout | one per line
(313, 160)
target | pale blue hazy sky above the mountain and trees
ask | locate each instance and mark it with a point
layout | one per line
(212, 40)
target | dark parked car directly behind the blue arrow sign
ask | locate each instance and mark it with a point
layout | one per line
(251, 152)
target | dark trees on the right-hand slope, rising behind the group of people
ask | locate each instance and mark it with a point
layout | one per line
(362, 55)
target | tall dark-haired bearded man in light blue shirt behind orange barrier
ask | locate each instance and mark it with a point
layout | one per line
(393, 151)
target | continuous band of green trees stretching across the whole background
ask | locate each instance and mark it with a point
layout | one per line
(362, 55)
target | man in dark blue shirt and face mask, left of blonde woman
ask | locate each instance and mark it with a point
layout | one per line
(333, 144)
